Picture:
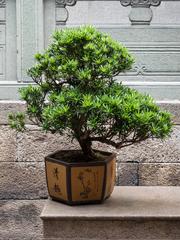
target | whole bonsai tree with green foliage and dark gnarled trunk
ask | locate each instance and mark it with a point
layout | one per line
(77, 94)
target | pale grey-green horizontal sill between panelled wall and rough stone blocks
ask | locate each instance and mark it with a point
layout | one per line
(167, 88)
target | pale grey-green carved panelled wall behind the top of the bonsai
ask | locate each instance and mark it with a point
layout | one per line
(26, 27)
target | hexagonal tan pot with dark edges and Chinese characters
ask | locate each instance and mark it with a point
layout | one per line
(80, 182)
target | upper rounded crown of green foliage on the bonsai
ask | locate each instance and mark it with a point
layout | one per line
(82, 57)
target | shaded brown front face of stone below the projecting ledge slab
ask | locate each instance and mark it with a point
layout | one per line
(121, 230)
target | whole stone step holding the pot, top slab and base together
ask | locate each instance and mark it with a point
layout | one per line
(141, 213)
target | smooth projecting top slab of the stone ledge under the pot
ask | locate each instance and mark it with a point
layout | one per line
(126, 203)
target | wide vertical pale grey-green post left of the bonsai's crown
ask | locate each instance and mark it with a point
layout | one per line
(30, 34)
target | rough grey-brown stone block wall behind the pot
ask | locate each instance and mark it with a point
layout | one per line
(23, 184)
